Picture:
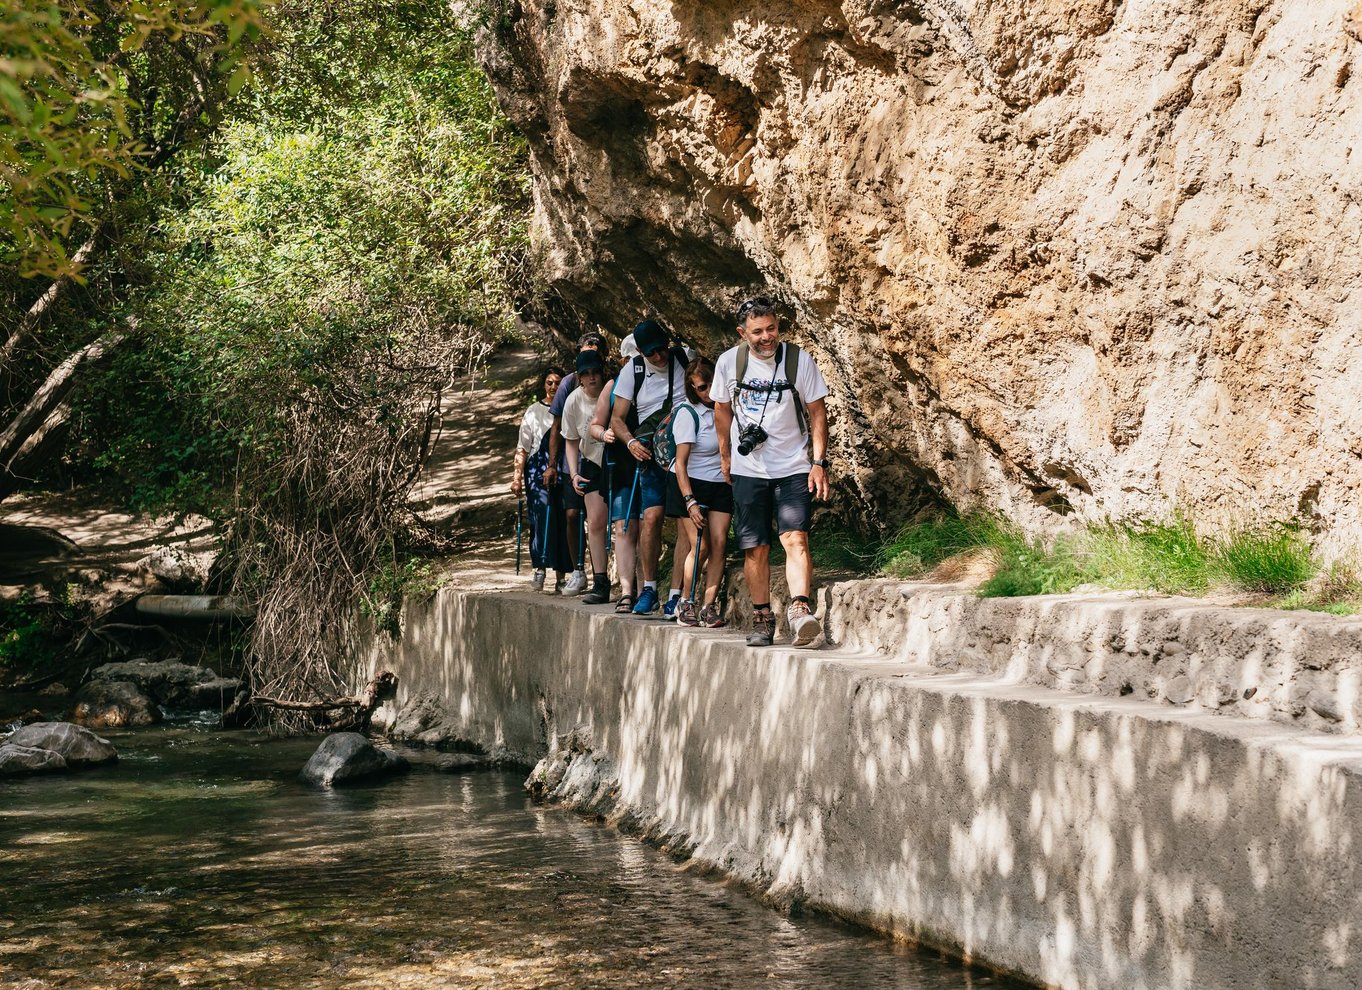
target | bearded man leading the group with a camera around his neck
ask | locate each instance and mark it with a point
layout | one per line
(766, 424)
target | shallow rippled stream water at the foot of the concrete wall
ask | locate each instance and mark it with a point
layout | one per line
(201, 861)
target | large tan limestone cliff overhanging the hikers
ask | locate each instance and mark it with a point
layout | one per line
(1064, 257)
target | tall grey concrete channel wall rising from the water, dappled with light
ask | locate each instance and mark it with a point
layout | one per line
(1079, 841)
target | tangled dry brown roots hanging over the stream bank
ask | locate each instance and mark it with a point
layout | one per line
(328, 510)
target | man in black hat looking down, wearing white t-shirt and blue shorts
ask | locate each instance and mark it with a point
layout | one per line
(645, 393)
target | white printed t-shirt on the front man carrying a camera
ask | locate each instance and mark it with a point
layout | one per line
(787, 450)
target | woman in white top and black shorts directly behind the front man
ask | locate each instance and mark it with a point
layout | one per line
(698, 496)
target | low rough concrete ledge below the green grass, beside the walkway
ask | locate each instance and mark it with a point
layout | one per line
(1299, 668)
